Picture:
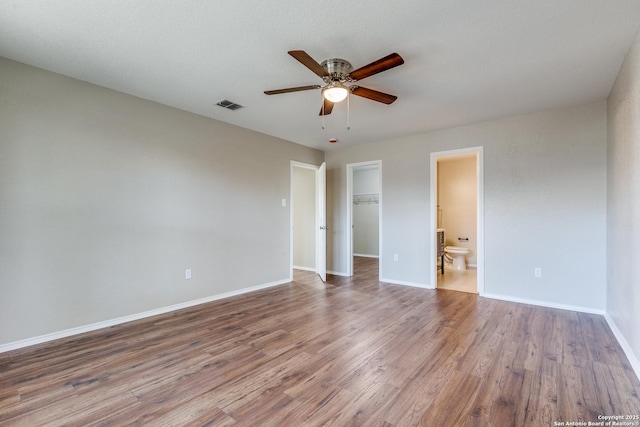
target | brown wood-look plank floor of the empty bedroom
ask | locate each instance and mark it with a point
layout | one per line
(353, 352)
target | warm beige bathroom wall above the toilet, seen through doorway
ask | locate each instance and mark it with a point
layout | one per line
(457, 199)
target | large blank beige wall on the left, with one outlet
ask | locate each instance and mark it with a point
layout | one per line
(106, 199)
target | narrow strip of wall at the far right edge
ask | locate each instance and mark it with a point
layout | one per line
(623, 201)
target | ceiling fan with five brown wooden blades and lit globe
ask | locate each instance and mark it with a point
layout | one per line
(335, 72)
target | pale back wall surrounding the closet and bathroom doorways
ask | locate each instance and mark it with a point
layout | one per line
(544, 204)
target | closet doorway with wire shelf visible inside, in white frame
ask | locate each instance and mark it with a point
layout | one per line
(364, 205)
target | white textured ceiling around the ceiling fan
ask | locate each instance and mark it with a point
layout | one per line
(465, 60)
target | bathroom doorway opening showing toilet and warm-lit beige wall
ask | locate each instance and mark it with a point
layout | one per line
(457, 199)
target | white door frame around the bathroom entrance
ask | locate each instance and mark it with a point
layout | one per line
(478, 151)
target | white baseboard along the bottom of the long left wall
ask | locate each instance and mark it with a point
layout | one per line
(120, 320)
